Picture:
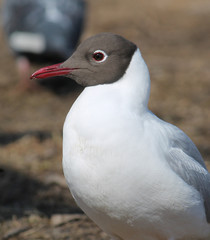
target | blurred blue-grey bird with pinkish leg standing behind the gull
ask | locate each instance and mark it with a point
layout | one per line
(41, 30)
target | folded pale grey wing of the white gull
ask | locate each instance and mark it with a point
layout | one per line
(185, 159)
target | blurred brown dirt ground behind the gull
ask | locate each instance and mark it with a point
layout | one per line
(174, 38)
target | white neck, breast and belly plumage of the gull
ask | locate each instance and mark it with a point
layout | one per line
(116, 171)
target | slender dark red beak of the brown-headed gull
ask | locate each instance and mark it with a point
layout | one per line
(51, 71)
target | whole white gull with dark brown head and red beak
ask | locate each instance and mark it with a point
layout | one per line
(135, 175)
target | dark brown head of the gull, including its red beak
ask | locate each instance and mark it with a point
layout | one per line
(100, 59)
